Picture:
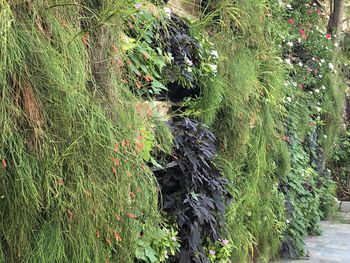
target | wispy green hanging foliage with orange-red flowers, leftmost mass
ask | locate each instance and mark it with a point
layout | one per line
(75, 187)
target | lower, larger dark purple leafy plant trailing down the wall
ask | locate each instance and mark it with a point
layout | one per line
(193, 192)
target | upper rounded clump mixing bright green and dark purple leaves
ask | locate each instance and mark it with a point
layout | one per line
(165, 58)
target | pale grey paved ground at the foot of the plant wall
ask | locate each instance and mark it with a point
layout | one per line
(333, 246)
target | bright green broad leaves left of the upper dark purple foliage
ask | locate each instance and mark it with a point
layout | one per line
(144, 62)
